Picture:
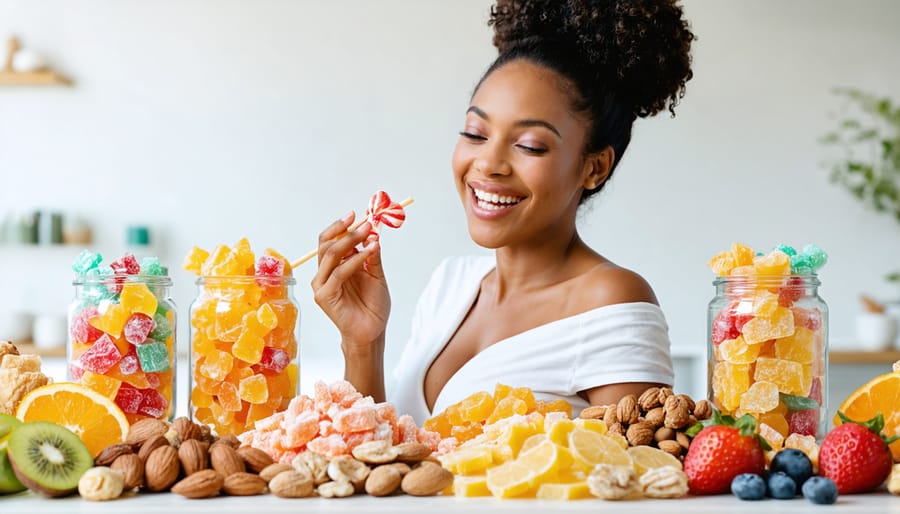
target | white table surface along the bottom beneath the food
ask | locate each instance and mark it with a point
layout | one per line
(171, 503)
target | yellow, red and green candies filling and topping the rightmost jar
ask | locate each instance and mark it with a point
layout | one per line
(768, 340)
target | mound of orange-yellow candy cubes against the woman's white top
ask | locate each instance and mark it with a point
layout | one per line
(466, 419)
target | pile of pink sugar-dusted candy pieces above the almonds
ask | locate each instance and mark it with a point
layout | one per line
(336, 419)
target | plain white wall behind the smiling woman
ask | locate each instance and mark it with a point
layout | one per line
(213, 120)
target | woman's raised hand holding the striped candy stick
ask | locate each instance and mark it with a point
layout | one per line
(350, 285)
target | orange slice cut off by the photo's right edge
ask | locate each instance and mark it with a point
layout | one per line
(881, 394)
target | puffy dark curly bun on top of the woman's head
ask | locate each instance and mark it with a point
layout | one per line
(640, 49)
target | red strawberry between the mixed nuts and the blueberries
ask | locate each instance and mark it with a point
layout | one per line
(721, 450)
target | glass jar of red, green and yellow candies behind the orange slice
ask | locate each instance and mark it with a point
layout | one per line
(121, 341)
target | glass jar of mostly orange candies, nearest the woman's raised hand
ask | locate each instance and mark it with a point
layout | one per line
(244, 351)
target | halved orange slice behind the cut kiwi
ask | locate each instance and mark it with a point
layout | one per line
(93, 417)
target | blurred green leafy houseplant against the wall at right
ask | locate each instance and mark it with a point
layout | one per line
(868, 139)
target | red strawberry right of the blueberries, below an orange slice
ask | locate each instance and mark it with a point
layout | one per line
(855, 455)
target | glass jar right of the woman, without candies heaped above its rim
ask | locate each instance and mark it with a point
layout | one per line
(768, 353)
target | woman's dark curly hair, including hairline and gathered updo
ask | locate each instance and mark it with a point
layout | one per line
(624, 58)
